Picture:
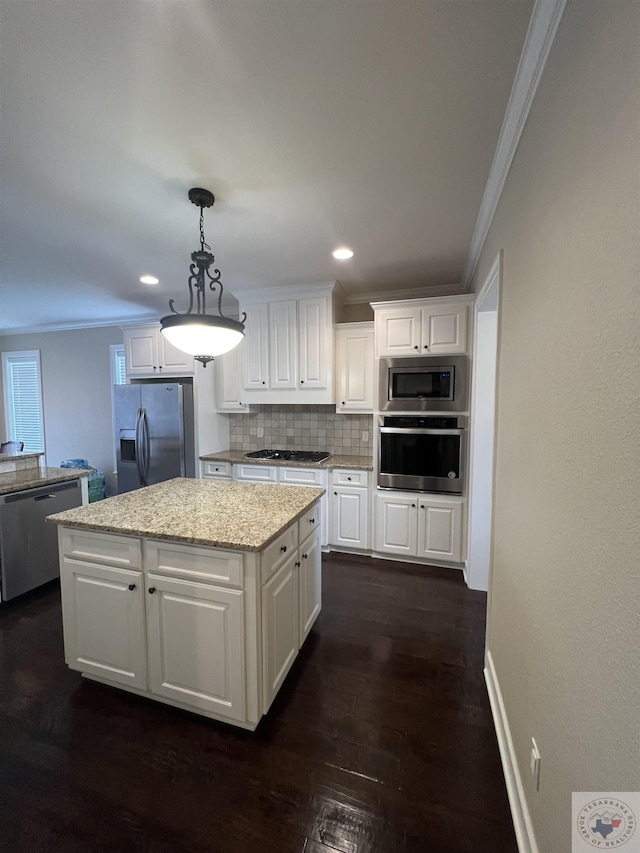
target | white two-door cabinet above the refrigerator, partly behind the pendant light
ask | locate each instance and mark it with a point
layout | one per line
(149, 353)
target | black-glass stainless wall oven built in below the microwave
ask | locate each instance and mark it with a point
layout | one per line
(422, 454)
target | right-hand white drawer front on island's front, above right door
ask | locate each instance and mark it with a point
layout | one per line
(193, 562)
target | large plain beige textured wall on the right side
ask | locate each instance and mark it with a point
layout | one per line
(563, 625)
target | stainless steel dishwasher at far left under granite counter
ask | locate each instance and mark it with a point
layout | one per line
(28, 545)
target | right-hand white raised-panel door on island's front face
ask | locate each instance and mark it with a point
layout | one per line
(196, 645)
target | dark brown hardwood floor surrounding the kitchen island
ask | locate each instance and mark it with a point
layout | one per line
(381, 738)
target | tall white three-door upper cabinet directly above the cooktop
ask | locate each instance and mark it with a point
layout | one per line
(288, 348)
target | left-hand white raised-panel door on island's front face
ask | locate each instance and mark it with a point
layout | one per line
(103, 615)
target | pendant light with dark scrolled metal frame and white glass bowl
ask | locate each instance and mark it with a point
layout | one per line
(197, 333)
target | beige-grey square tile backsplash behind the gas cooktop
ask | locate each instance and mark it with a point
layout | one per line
(302, 428)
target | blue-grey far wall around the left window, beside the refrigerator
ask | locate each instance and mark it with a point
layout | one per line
(76, 390)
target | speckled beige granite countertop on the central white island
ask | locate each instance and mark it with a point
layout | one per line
(236, 516)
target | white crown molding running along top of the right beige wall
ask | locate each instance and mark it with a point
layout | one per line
(540, 35)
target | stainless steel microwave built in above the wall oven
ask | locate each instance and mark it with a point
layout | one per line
(424, 384)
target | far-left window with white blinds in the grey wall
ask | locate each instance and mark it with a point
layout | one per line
(23, 399)
